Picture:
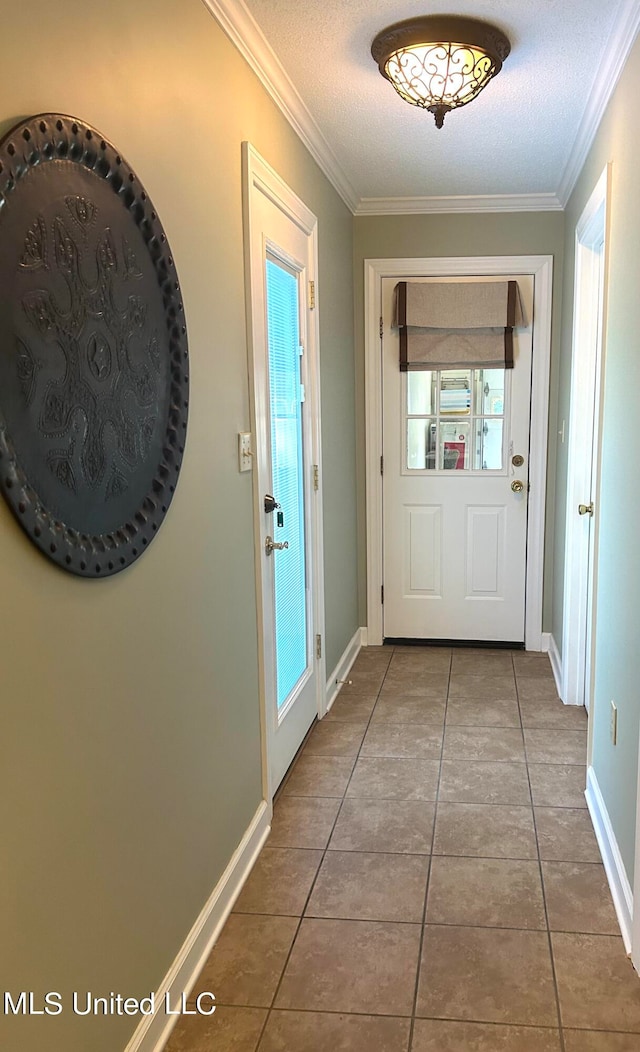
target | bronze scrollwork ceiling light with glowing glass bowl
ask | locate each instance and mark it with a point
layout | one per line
(441, 63)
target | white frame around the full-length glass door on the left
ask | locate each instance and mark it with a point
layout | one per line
(261, 178)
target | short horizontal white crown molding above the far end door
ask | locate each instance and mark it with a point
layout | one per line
(434, 206)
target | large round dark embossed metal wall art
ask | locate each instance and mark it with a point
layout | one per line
(94, 371)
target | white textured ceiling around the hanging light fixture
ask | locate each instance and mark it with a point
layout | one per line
(521, 145)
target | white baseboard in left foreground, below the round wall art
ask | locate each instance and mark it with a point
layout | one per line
(153, 1031)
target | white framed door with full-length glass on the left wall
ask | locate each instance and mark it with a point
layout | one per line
(283, 252)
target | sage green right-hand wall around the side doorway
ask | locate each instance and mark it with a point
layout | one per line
(617, 662)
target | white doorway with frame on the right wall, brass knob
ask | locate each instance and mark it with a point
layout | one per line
(586, 417)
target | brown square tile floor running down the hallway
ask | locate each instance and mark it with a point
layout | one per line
(432, 882)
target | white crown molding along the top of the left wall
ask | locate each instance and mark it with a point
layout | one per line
(247, 35)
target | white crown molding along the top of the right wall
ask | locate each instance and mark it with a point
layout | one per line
(618, 48)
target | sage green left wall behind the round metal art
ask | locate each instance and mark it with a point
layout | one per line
(130, 745)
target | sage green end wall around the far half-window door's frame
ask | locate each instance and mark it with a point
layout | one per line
(496, 234)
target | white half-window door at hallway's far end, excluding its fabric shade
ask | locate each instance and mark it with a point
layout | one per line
(455, 492)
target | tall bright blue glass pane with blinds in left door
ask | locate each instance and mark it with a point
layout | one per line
(290, 571)
